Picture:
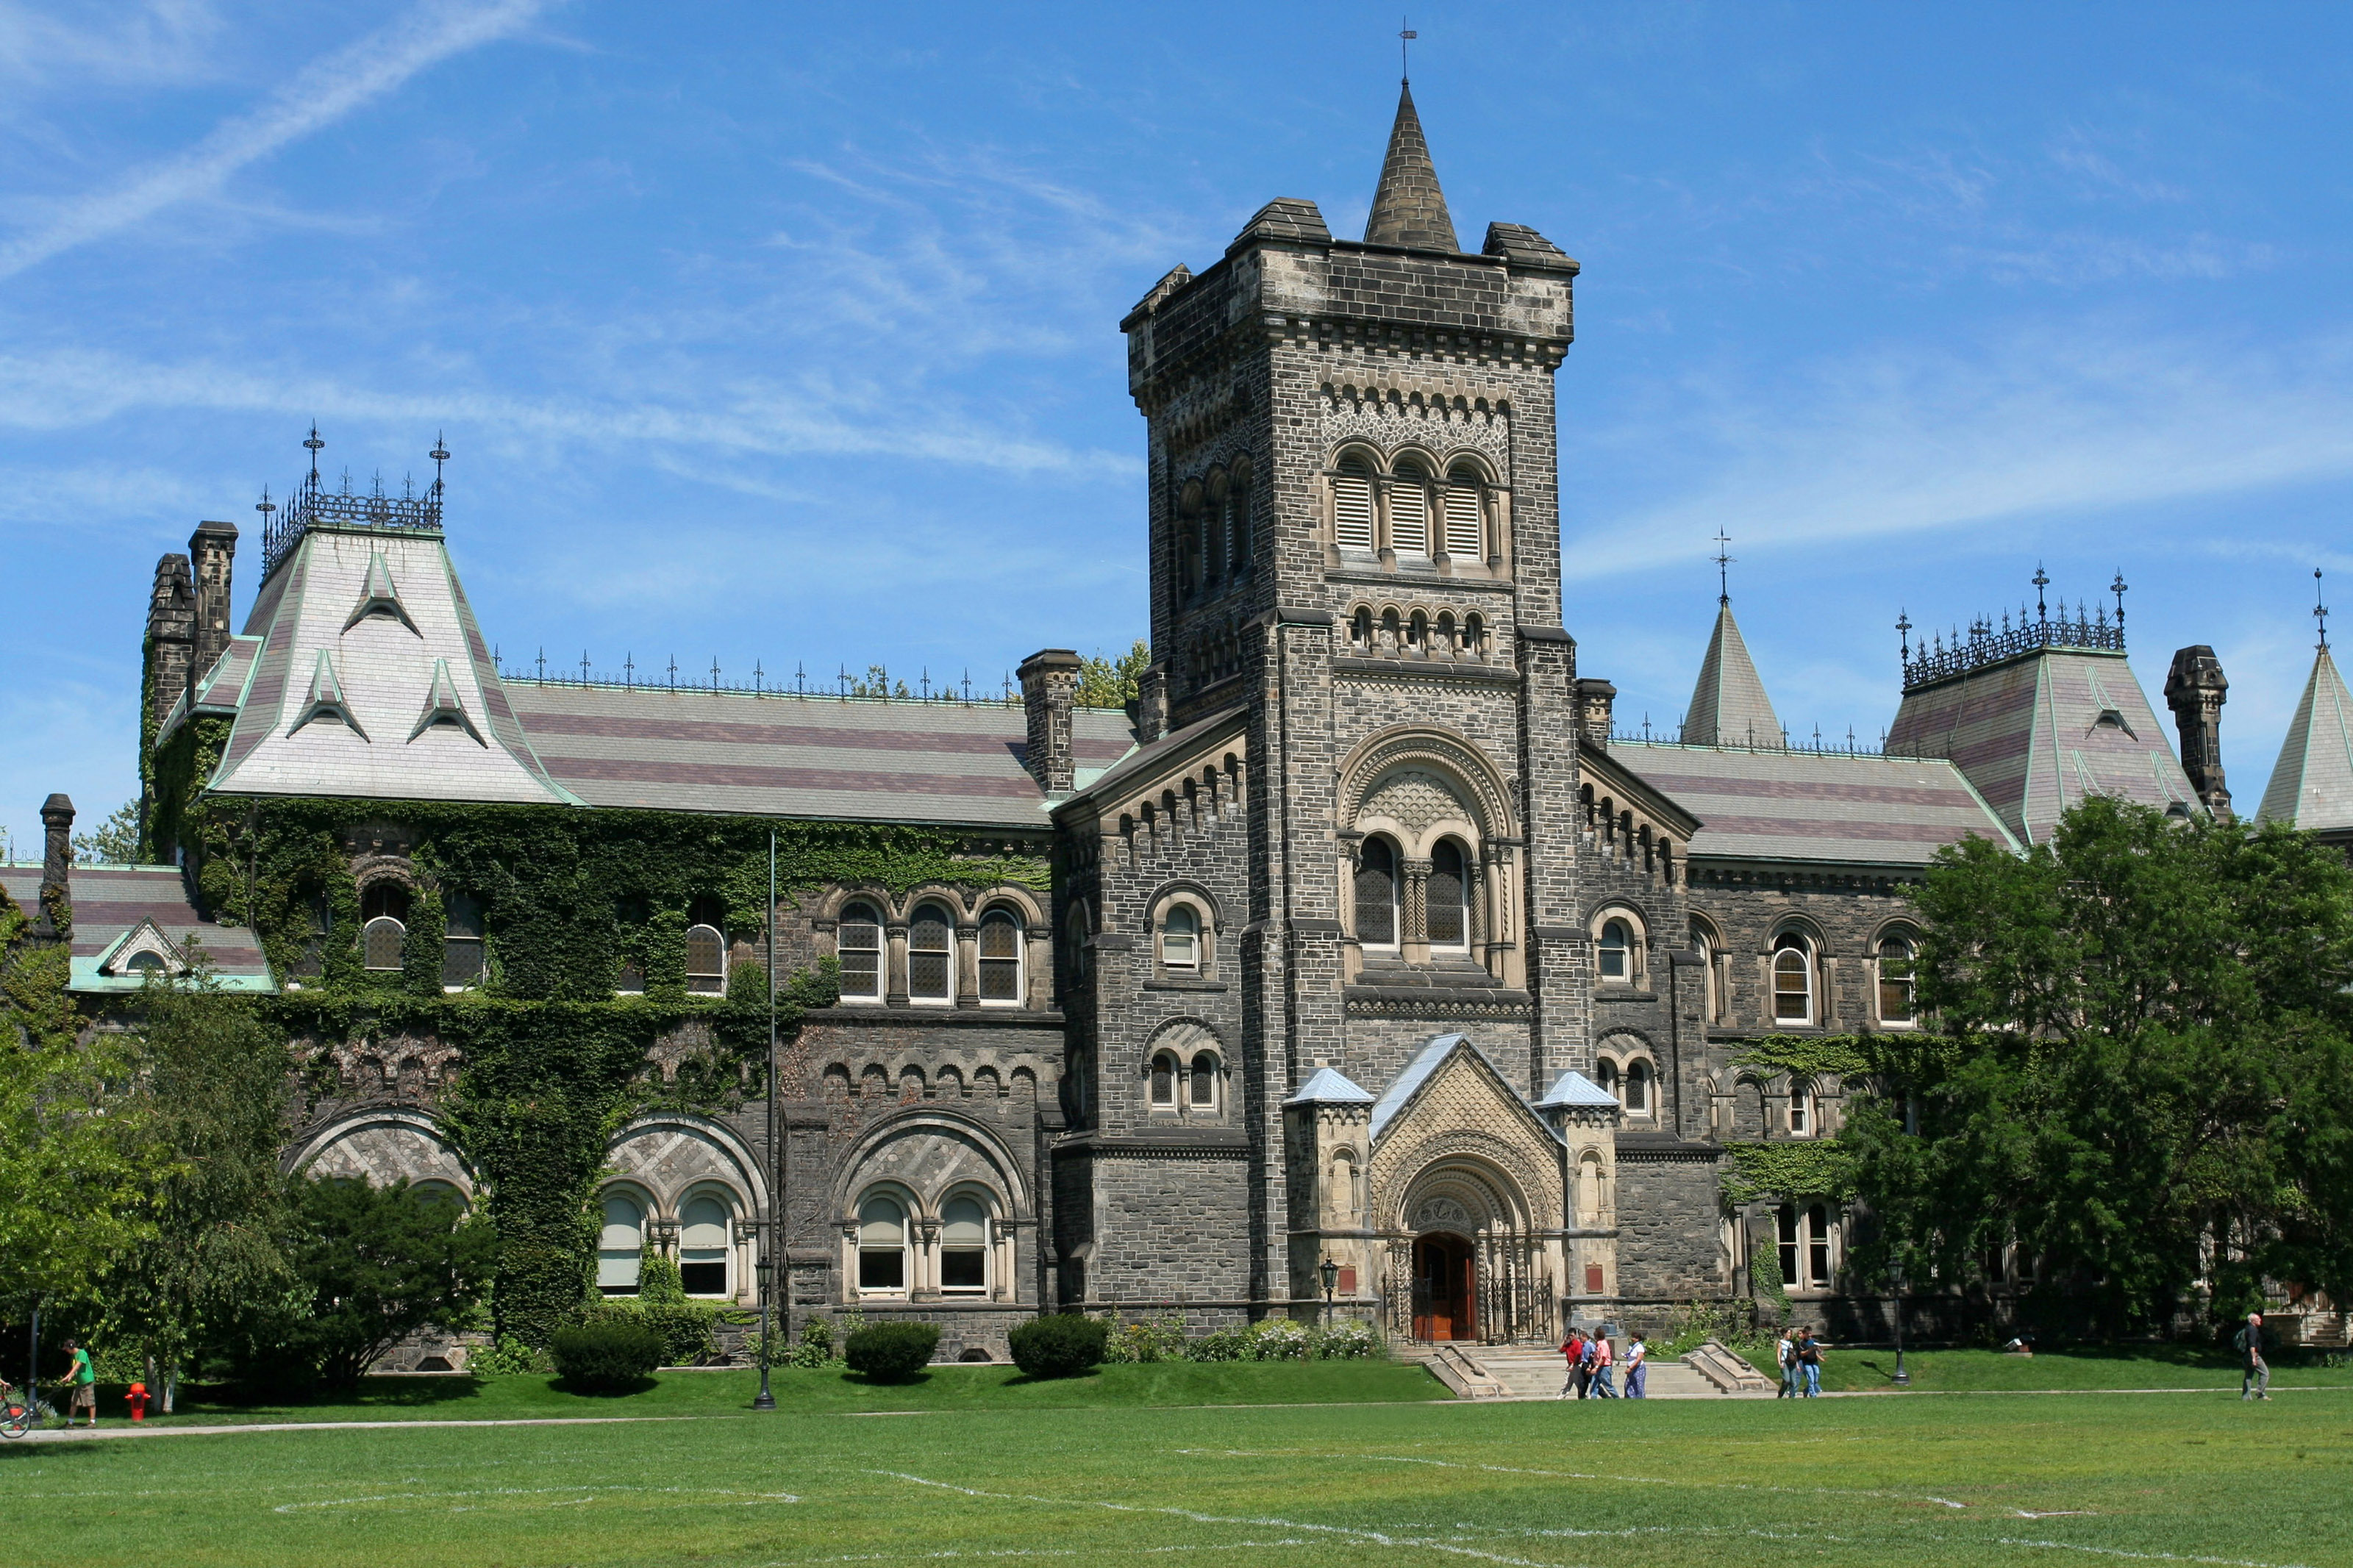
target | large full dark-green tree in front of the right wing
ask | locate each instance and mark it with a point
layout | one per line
(2142, 1071)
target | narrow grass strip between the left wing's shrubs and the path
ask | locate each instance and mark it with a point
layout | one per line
(728, 1393)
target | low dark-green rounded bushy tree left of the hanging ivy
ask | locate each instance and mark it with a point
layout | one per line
(375, 1266)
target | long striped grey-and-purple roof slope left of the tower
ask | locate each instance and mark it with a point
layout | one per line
(801, 756)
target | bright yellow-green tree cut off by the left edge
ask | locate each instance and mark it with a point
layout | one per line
(74, 1151)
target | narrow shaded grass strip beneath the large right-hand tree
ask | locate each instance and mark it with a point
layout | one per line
(1978, 1372)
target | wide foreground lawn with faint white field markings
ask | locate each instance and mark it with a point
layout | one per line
(2098, 1480)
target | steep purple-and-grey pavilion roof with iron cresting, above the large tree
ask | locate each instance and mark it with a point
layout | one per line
(2041, 732)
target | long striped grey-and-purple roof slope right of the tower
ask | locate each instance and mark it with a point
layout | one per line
(1841, 808)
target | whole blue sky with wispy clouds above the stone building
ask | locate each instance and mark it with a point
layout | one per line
(792, 335)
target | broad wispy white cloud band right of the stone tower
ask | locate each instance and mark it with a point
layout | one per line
(2039, 427)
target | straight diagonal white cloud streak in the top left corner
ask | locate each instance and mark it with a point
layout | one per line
(316, 98)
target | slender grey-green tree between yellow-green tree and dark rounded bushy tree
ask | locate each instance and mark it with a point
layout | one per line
(213, 1090)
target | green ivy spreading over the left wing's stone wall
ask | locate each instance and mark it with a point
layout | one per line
(552, 1059)
